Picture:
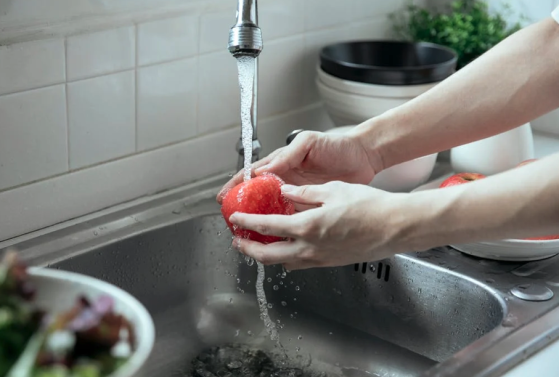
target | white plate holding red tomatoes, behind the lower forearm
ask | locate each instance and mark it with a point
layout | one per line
(504, 250)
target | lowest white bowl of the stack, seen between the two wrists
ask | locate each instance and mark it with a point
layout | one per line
(403, 177)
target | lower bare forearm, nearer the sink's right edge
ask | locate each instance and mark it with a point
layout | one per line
(520, 203)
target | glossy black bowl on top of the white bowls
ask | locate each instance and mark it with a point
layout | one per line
(389, 62)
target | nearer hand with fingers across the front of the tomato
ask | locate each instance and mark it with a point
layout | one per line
(340, 224)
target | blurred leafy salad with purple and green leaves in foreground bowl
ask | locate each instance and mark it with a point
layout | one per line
(87, 340)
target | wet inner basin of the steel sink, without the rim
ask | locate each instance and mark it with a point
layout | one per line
(395, 319)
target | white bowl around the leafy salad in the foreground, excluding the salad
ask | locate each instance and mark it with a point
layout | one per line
(58, 290)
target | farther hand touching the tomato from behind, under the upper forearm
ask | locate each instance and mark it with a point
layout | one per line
(315, 158)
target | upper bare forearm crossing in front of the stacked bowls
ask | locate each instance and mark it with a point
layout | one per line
(513, 83)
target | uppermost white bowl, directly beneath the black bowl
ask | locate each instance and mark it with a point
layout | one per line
(370, 90)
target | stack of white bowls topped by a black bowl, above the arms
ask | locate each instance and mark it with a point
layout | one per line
(360, 80)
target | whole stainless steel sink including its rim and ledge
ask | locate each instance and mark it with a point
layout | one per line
(436, 313)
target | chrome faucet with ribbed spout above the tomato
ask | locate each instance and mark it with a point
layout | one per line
(245, 39)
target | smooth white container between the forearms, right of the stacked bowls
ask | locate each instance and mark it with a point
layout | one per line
(495, 154)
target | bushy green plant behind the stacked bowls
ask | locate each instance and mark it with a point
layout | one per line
(467, 26)
